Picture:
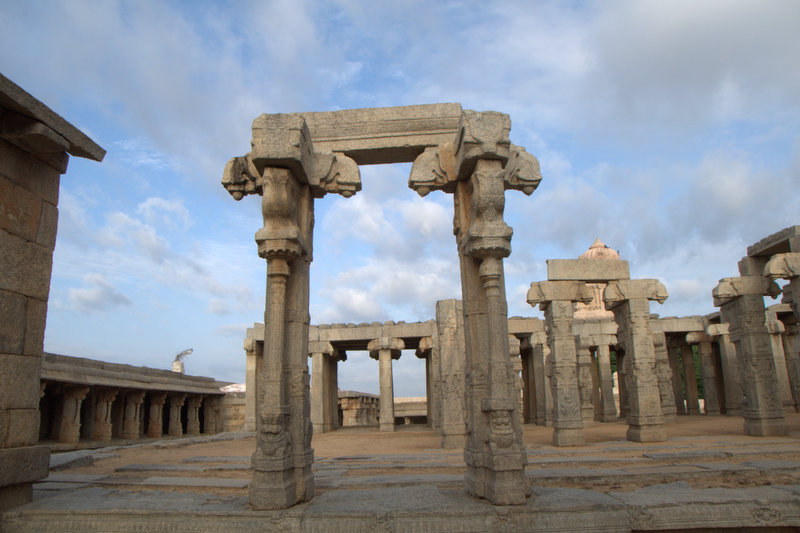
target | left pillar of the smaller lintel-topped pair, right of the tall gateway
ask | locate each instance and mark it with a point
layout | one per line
(556, 299)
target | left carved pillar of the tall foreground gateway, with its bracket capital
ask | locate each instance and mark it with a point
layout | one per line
(288, 173)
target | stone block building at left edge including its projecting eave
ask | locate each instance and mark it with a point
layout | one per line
(34, 148)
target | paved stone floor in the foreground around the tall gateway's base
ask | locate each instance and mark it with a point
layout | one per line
(680, 485)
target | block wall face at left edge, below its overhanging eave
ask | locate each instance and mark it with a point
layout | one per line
(28, 221)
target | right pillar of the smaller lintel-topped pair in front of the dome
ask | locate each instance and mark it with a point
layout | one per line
(629, 300)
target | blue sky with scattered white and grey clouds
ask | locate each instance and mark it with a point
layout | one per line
(670, 130)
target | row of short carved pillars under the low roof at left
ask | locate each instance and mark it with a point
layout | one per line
(67, 417)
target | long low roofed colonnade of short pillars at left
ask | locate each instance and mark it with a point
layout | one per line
(93, 402)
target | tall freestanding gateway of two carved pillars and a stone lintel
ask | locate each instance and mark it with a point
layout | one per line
(297, 158)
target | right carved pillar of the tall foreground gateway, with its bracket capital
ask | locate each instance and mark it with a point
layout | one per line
(478, 168)
